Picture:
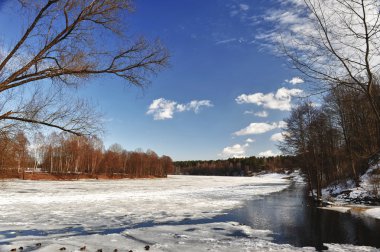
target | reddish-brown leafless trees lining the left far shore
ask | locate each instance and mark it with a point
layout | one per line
(69, 154)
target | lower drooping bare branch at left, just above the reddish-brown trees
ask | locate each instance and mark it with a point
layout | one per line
(50, 107)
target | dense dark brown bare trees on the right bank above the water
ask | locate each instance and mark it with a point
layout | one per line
(334, 141)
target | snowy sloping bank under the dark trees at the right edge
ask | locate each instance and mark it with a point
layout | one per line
(344, 195)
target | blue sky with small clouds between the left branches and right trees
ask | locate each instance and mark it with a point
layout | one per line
(210, 102)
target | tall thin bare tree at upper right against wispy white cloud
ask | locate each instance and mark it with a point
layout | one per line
(336, 42)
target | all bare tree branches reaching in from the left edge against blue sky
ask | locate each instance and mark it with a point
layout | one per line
(65, 43)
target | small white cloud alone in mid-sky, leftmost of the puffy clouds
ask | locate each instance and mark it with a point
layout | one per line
(163, 109)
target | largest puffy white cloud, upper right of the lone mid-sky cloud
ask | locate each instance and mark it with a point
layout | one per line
(280, 100)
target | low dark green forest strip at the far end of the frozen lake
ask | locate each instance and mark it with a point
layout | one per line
(236, 166)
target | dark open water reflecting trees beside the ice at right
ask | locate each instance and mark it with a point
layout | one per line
(294, 220)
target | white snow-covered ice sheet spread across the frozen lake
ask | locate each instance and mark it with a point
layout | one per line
(130, 214)
